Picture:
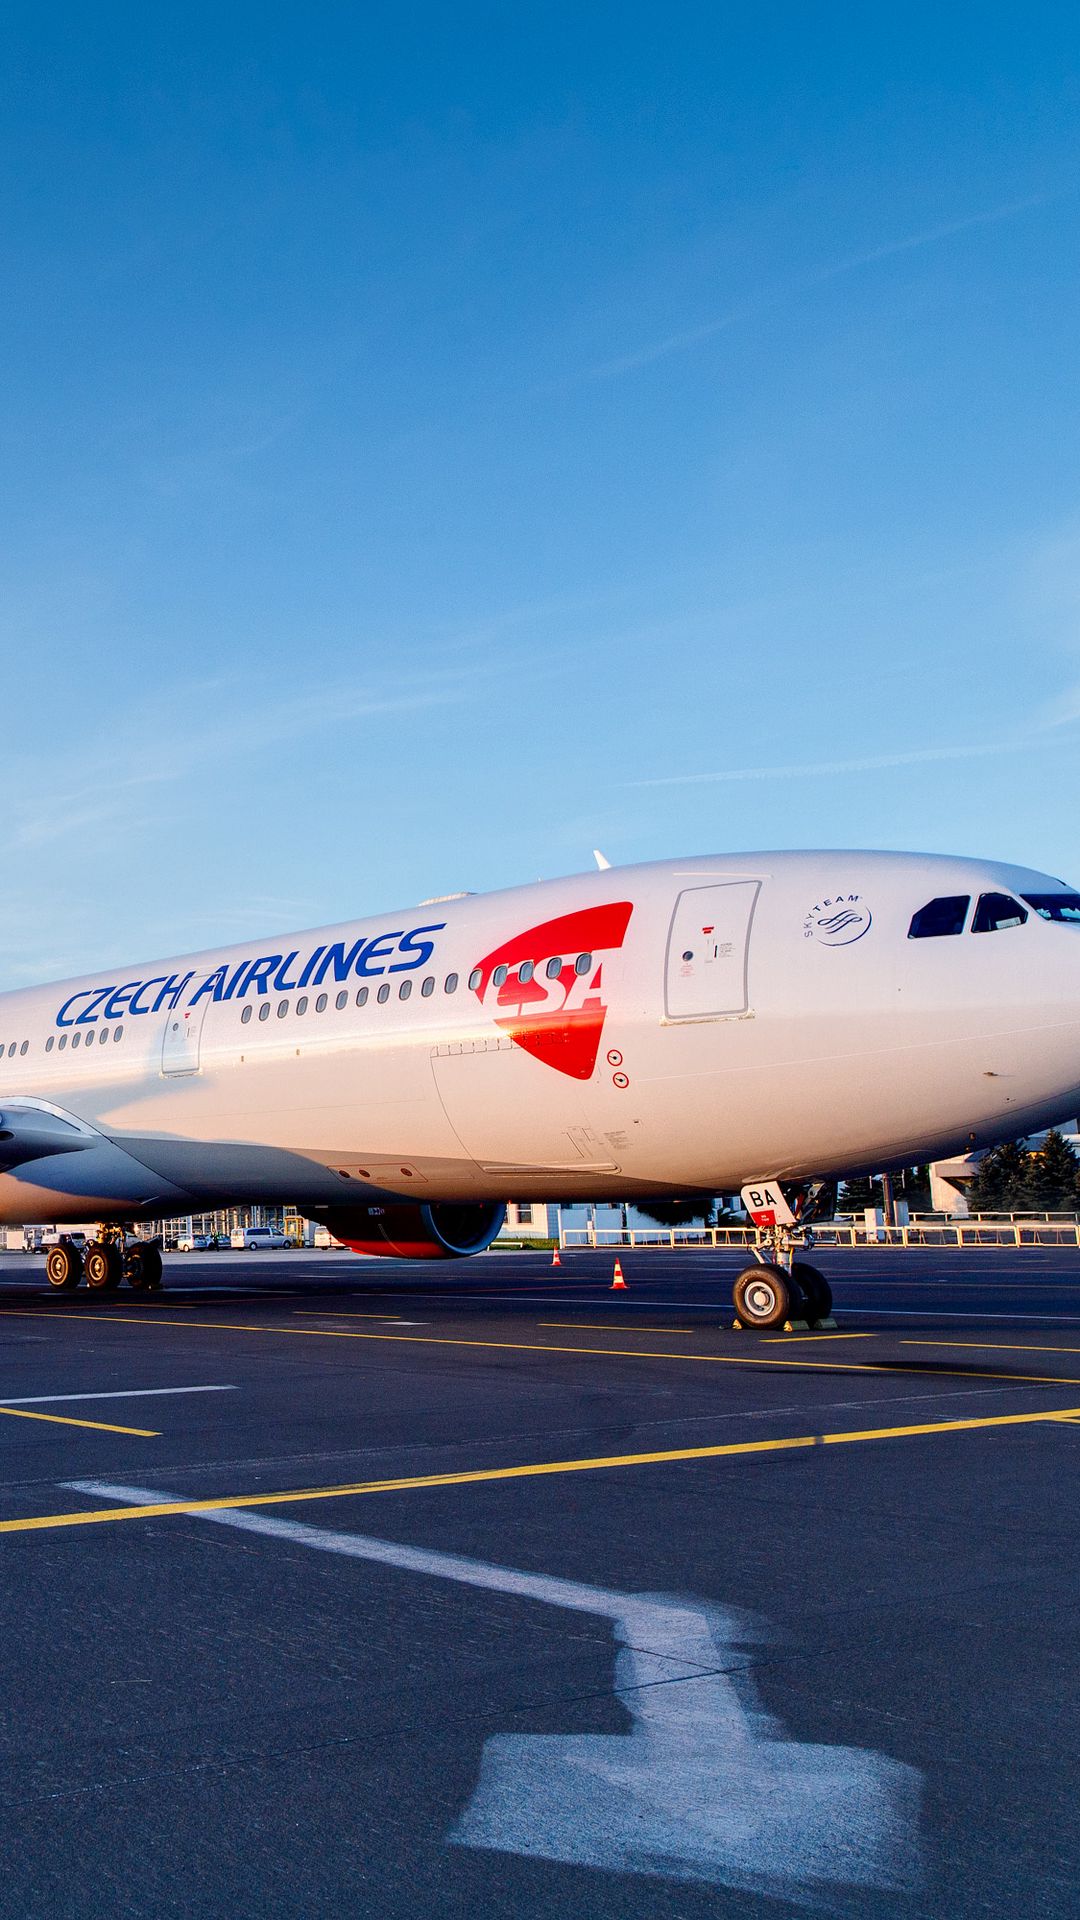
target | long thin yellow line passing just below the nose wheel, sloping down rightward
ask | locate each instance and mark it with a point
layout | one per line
(549, 1347)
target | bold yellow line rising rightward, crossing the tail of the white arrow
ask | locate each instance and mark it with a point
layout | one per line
(735, 1449)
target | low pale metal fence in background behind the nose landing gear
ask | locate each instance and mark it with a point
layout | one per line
(1012, 1232)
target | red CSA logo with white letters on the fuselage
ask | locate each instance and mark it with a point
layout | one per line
(556, 1019)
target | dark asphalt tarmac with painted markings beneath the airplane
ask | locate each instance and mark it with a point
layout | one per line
(356, 1589)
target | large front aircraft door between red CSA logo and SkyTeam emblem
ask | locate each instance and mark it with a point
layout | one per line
(708, 951)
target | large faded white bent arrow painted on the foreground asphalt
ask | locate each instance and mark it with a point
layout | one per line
(704, 1788)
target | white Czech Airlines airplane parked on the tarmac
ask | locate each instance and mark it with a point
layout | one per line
(768, 1022)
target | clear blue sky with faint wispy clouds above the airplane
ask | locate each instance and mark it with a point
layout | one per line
(439, 443)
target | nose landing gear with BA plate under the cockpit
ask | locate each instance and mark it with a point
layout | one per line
(783, 1289)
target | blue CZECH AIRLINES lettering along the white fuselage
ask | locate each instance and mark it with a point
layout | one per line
(366, 959)
